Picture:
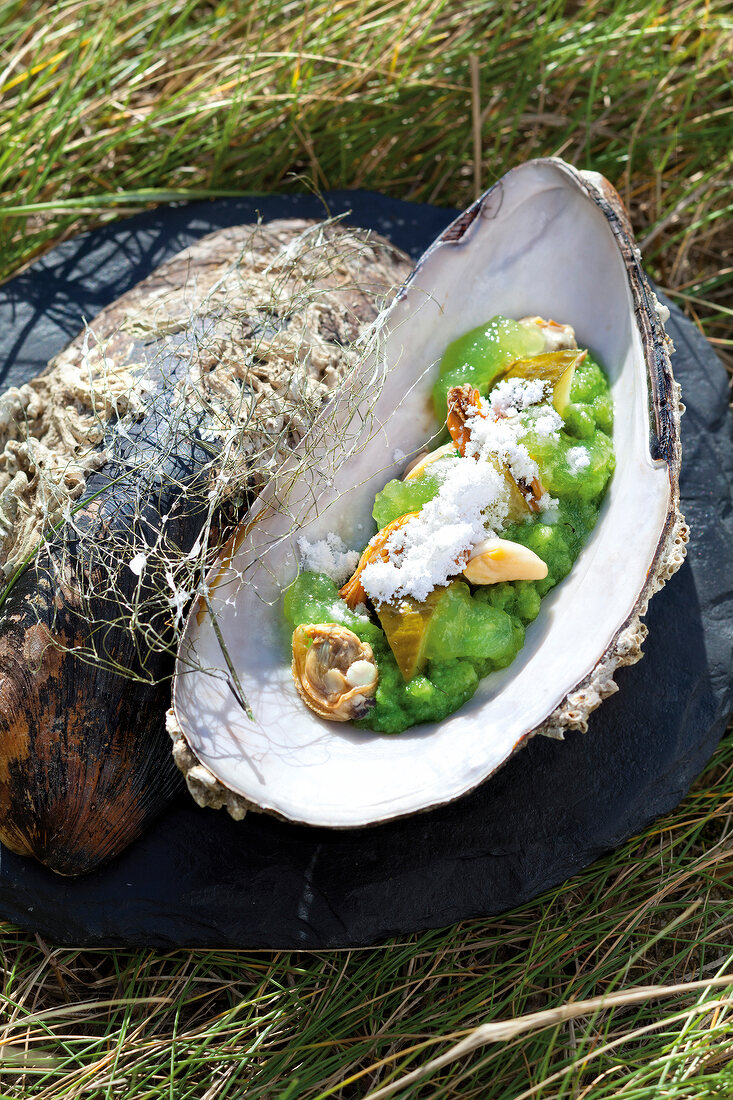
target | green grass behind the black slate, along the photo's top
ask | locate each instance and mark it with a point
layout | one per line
(110, 107)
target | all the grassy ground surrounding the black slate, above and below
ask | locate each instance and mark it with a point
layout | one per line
(108, 107)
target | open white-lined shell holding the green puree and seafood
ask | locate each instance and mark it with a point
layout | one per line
(546, 243)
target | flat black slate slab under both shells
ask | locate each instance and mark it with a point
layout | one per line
(200, 879)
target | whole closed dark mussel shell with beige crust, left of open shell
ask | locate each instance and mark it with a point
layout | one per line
(255, 323)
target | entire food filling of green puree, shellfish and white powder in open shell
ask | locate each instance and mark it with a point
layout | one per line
(444, 591)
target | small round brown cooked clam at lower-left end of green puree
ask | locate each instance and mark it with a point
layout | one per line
(334, 672)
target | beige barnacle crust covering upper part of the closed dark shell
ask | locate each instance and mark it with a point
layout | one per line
(52, 428)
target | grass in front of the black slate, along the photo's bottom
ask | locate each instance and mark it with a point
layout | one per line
(657, 914)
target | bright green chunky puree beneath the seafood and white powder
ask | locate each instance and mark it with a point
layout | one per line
(475, 632)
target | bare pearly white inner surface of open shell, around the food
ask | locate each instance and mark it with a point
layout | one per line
(546, 240)
